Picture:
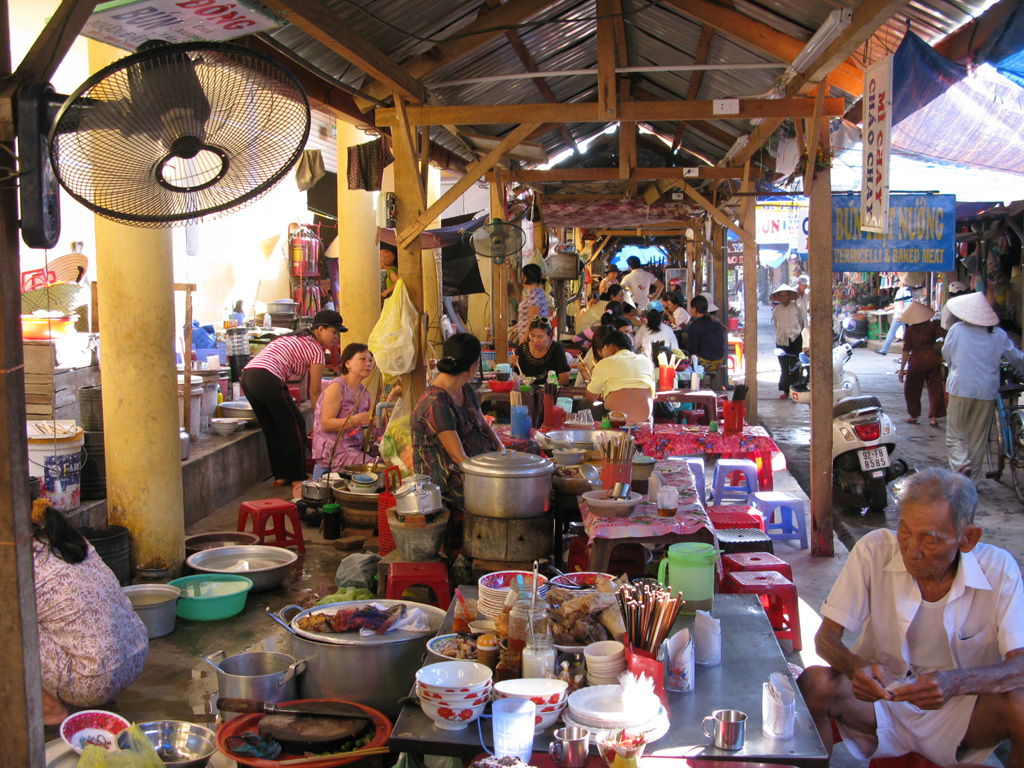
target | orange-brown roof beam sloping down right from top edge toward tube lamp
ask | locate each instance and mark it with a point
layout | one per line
(741, 27)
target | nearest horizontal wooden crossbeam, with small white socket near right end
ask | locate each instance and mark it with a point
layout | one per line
(589, 112)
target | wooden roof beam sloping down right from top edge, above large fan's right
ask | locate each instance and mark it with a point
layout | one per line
(320, 23)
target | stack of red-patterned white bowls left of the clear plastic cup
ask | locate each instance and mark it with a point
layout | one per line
(454, 694)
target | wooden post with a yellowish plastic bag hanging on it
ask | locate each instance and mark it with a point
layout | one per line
(410, 205)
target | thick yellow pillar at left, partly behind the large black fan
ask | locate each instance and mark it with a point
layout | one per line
(135, 272)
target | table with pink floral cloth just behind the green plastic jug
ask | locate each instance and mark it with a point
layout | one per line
(645, 525)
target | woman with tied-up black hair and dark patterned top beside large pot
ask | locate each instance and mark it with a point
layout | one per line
(448, 425)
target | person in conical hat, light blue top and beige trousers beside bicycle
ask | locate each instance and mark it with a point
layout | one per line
(973, 350)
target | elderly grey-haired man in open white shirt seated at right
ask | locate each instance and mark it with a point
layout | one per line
(938, 668)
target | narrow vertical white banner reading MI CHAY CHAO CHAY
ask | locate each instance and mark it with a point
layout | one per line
(878, 121)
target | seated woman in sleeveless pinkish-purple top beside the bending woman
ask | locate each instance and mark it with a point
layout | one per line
(344, 412)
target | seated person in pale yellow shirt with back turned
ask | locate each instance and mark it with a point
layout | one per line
(623, 379)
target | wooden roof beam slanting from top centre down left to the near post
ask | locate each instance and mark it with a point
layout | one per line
(485, 29)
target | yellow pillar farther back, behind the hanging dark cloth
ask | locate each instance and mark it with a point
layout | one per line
(359, 261)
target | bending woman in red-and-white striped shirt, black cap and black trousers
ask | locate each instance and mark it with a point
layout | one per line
(265, 382)
